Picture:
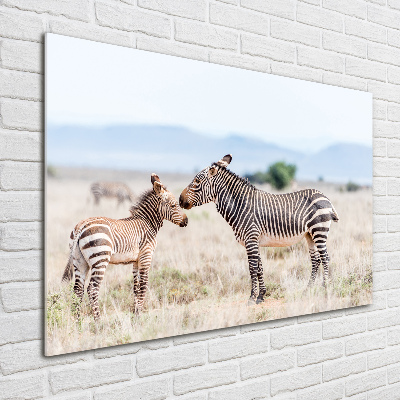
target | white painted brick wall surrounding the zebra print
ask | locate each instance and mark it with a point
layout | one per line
(348, 353)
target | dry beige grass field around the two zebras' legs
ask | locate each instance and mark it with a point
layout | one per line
(199, 278)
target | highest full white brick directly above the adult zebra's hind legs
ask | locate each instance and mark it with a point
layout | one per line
(319, 17)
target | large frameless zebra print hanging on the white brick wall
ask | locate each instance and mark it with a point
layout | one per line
(184, 196)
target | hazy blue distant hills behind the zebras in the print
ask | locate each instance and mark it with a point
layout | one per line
(177, 149)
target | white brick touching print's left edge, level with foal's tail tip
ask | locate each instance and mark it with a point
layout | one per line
(21, 266)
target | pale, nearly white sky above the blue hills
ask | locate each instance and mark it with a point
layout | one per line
(98, 84)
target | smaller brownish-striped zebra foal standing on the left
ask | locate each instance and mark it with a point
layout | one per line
(99, 241)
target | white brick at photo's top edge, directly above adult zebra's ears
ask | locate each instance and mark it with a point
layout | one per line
(238, 18)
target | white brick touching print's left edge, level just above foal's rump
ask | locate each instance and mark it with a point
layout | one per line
(23, 206)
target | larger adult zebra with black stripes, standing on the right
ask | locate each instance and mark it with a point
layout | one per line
(259, 218)
